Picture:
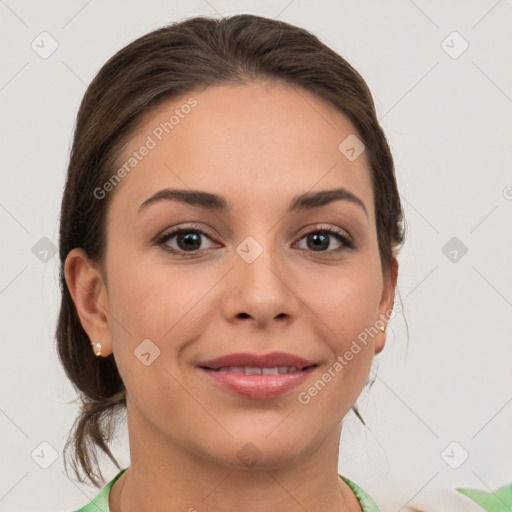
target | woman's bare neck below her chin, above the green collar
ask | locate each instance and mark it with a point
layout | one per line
(165, 476)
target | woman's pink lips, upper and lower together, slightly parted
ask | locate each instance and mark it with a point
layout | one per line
(259, 387)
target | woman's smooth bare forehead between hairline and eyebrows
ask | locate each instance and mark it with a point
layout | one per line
(255, 143)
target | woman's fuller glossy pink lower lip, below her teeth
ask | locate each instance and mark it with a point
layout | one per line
(259, 386)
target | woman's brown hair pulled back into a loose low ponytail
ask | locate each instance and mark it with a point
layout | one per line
(159, 66)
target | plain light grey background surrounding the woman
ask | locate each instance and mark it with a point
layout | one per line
(449, 124)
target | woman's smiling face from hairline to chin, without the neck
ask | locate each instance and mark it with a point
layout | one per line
(255, 273)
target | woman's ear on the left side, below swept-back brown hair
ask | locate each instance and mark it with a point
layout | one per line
(89, 293)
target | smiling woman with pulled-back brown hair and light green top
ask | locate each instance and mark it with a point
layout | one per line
(229, 232)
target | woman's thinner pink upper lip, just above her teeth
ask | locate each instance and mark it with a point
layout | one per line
(243, 359)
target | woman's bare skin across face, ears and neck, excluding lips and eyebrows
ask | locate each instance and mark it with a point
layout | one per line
(258, 145)
